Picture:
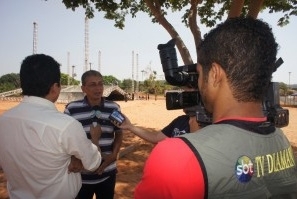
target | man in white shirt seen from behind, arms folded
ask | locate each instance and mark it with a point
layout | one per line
(37, 141)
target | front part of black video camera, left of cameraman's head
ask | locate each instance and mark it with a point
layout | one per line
(182, 76)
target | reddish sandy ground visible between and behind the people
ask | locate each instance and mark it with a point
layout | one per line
(153, 116)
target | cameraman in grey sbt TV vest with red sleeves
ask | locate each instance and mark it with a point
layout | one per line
(241, 155)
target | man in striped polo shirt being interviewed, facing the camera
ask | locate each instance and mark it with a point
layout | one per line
(92, 112)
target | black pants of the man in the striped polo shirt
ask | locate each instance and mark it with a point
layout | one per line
(103, 190)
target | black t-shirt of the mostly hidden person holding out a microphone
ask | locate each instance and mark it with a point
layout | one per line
(177, 127)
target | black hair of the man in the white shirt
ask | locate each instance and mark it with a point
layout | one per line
(38, 73)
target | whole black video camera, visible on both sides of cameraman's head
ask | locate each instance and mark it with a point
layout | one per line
(187, 76)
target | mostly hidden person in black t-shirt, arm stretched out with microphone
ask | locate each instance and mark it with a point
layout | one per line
(180, 125)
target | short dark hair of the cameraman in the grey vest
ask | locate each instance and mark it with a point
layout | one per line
(246, 49)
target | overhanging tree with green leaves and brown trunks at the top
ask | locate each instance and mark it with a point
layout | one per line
(209, 12)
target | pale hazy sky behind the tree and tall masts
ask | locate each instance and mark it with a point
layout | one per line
(61, 34)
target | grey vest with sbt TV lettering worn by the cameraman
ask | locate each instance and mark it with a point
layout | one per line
(242, 164)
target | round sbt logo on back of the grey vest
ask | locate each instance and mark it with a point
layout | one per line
(244, 169)
